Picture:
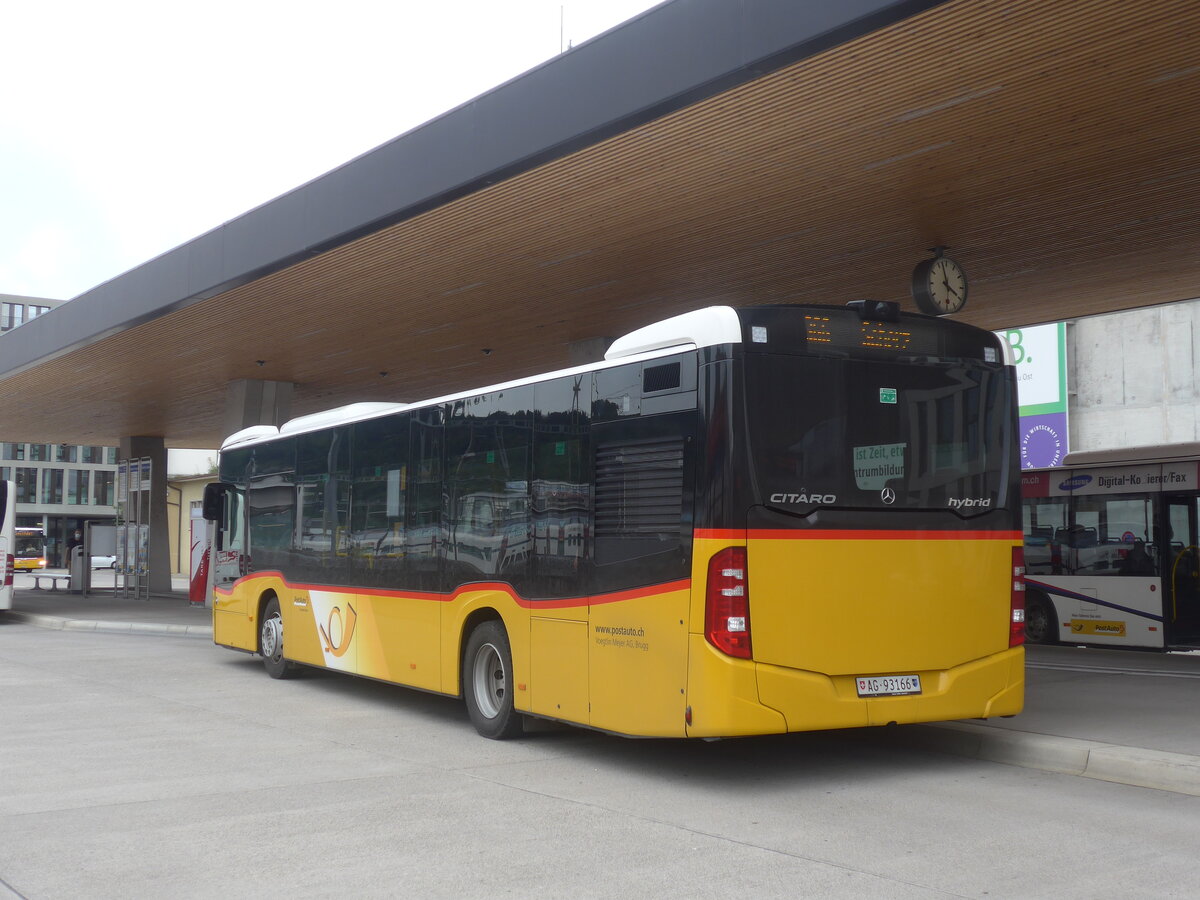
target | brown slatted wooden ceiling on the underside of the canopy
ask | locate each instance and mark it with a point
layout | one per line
(1052, 147)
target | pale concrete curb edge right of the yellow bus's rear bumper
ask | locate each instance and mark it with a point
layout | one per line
(1178, 773)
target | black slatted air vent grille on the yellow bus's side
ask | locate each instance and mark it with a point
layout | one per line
(639, 488)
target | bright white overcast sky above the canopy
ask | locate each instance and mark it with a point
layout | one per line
(131, 127)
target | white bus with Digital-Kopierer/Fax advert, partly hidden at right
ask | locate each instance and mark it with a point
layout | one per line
(1113, 549)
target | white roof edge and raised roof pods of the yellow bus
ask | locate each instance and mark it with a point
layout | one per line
(703, 328)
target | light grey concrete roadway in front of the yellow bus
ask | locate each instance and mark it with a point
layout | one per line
(166, 767)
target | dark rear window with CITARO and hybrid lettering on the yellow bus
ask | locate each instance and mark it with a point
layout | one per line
(926, 435)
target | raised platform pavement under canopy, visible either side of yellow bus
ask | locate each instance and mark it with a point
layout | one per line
(1115, 716)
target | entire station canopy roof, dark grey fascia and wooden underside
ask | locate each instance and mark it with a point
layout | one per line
(706, 153)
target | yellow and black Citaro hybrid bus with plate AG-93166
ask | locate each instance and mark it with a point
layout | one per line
(743, 521)
